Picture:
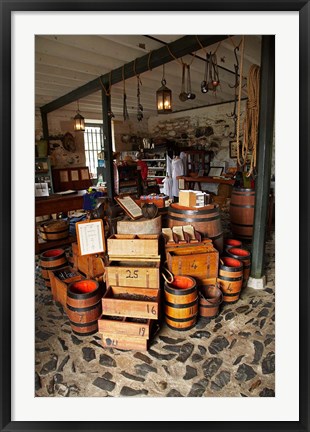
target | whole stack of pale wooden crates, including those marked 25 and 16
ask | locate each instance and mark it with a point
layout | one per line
(132, 300)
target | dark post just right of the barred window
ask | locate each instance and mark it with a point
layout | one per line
(108, 150)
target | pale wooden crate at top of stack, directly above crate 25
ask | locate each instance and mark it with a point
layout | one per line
(139, 246)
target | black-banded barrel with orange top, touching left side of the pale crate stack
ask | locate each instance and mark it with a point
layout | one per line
(84, 306)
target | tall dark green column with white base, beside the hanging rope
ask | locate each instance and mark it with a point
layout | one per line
(264, 156)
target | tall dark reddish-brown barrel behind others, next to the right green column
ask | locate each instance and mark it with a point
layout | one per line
(242, 205)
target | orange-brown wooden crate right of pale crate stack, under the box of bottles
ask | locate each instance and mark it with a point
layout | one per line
(199, 261)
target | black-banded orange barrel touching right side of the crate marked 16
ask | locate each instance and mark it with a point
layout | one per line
(181, 303)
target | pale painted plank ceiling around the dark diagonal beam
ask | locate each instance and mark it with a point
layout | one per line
(65, 62)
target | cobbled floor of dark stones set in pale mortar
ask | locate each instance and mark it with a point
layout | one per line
(232, 355)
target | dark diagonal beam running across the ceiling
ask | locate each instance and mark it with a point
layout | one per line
(158, 57)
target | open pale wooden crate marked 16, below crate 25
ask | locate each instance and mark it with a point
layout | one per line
(131, 302)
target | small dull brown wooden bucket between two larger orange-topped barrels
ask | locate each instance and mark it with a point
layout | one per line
(210, 298)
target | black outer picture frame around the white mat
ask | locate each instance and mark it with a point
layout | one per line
(6, 8)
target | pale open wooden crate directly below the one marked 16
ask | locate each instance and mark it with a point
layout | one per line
(125, 326)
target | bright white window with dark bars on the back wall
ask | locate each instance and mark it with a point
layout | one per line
(93, 144)
